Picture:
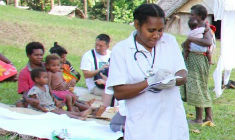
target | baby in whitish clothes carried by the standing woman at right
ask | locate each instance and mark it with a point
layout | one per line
(198, 33)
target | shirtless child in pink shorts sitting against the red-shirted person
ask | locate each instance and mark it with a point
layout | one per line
(59, 87)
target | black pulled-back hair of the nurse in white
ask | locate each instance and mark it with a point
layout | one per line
(144, 11)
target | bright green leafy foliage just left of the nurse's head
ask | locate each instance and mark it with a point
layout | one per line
(123, 10)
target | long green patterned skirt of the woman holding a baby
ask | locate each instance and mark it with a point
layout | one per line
(195, 91)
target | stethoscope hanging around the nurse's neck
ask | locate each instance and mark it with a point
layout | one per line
(149, 72)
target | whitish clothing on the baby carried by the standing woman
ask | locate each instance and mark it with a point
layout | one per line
(198, 33)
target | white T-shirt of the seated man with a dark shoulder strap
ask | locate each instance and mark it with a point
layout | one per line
(87, 63)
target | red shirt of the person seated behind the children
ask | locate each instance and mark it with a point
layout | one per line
(25, 83)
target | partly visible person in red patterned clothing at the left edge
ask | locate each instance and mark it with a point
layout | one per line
(8, 71)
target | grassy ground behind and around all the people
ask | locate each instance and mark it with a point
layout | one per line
(18, 27)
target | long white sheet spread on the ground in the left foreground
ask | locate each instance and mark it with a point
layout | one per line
(43, 125)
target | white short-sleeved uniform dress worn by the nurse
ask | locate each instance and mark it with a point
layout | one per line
(150, 116)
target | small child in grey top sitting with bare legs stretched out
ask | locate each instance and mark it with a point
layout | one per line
(41, 92)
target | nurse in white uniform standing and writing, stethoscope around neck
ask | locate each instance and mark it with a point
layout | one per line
(147, 56)
